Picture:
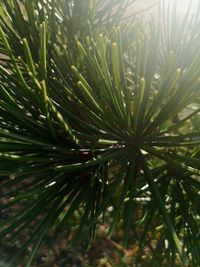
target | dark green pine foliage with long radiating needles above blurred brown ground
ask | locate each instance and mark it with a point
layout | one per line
(91, 118)
